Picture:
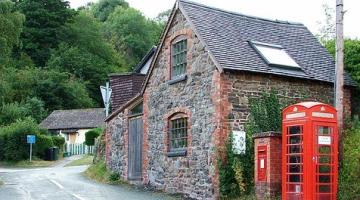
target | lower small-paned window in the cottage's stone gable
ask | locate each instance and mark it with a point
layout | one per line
(178, 134)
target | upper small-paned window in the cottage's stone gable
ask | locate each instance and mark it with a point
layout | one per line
(179, 60)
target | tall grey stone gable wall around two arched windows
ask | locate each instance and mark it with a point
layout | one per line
(191, 174)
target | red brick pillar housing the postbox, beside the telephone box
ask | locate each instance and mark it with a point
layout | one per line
(272, 185)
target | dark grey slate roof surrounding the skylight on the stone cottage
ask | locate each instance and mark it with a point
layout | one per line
(227, 35)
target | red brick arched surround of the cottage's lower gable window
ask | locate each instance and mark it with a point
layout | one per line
(167, 118)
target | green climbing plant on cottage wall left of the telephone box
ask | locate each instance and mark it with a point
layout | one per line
(236, 172)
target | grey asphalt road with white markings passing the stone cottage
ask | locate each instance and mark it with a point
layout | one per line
(64, 183)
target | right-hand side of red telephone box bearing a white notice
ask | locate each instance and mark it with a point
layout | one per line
(325, 160)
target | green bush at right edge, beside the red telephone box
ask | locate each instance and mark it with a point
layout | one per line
(349, 175)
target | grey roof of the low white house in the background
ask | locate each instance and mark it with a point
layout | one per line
(74, 119)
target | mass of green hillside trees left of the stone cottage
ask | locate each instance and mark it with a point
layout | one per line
(53, 57)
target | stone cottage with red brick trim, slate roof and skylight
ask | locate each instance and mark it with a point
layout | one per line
(208, 64)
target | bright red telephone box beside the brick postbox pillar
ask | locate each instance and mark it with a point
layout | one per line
(309, 152)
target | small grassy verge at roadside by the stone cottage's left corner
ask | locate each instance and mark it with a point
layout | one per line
(98, 172)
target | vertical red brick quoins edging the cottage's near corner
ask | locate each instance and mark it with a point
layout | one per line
(221, 89)
